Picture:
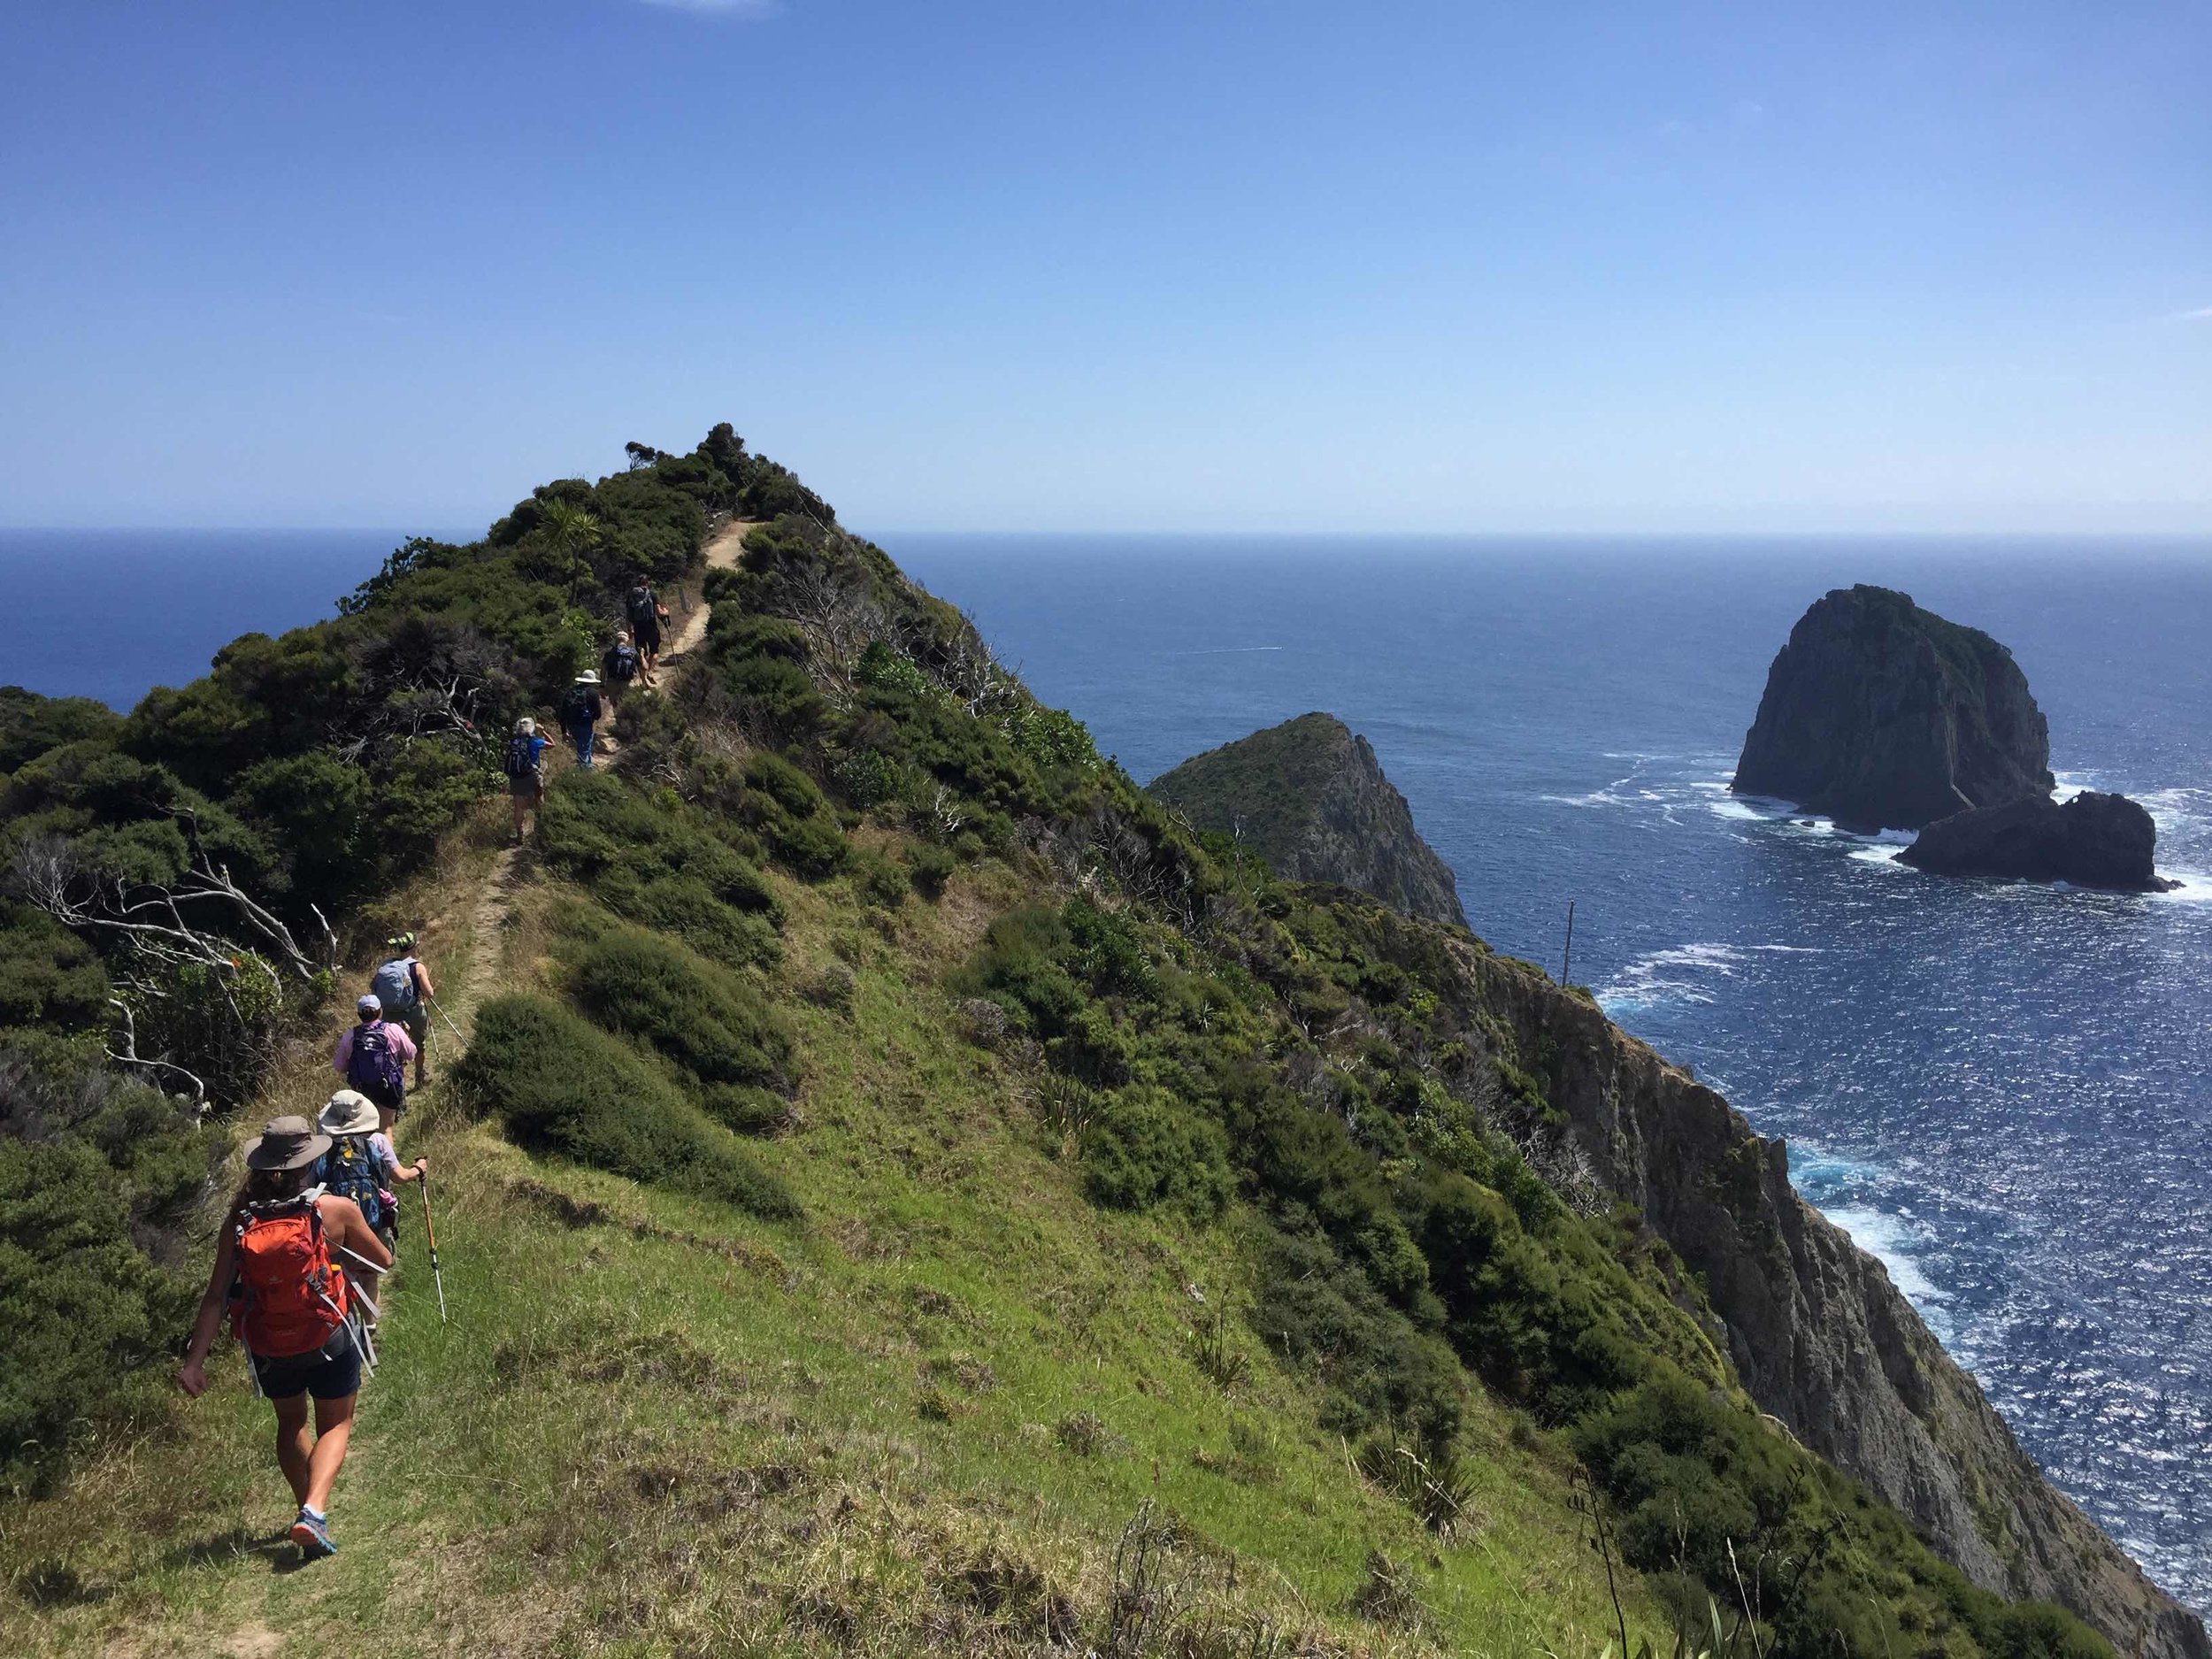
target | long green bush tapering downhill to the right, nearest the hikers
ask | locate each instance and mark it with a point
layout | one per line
(561, 1085)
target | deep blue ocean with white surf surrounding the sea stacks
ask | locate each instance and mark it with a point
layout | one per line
(2005, 1092)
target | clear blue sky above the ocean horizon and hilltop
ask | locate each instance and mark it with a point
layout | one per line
(1118, 264)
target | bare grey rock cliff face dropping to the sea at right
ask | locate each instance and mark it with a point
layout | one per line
(1819, 1333)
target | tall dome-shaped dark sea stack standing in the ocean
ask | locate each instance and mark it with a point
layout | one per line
(1890, 718)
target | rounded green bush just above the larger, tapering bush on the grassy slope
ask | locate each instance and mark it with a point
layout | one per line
(705, 1019)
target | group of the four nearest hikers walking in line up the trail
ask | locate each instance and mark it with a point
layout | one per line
(313, 1231)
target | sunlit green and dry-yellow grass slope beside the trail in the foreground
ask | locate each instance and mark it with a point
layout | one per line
(921, 1419)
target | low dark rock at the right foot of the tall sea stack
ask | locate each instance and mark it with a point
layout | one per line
(2091, 842)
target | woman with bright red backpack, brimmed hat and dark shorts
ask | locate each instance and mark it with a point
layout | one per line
(282, 1269)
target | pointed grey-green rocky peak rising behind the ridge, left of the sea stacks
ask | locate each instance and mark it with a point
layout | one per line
(1313, 802)
